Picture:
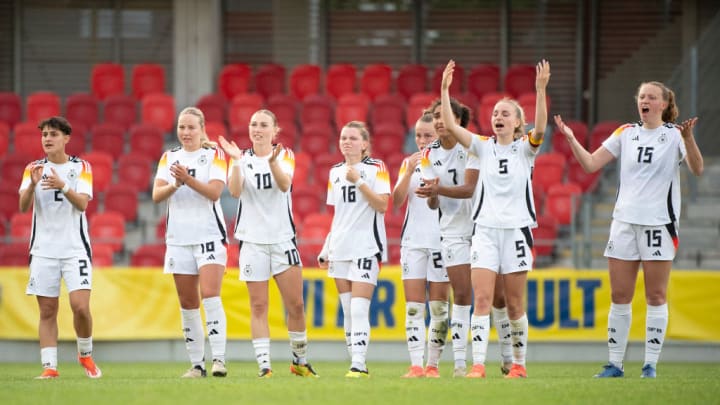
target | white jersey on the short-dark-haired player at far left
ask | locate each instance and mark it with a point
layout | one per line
(59, 230)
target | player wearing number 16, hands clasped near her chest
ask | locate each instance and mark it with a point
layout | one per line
(359, 189)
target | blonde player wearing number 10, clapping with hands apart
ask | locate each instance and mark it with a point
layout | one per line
(261, 178)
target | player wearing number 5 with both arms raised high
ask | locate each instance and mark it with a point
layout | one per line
(503, 214)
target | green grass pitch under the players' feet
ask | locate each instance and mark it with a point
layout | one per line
(548, 383)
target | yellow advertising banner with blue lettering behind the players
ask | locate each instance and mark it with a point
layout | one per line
(563, 305)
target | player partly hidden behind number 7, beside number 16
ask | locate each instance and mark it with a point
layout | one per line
(421, 261)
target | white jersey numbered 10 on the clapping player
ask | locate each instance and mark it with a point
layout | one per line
(264, 212)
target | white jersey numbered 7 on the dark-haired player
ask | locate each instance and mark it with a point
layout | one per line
(449, 166)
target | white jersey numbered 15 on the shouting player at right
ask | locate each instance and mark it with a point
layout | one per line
(649, 189)
